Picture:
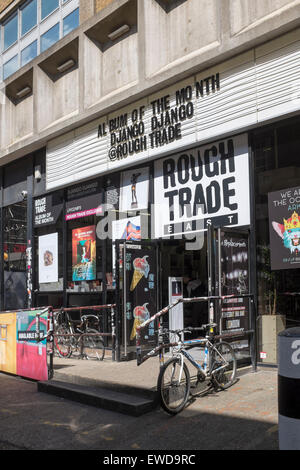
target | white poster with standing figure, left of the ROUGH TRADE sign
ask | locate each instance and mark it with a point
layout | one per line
(134, 190)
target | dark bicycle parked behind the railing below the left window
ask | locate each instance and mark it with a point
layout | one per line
(69, 338)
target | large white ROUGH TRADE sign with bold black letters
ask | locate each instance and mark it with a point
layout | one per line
(206, 183)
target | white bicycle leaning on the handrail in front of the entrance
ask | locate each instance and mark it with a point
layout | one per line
(174, 381)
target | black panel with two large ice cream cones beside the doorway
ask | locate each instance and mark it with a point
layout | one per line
(141, 294)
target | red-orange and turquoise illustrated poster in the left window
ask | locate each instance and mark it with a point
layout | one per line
(84, 253)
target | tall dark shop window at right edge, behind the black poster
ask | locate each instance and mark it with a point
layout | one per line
(277, 171)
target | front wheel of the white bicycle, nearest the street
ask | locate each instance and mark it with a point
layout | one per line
(173, 390)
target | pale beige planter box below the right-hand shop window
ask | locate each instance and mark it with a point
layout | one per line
(268, 328)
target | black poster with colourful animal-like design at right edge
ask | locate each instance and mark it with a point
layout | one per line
(284, 228)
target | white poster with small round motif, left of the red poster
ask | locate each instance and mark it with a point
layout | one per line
(48, 258)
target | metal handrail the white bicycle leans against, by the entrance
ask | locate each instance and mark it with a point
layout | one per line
(161, 346)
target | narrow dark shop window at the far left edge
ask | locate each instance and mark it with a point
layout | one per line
(14, 247)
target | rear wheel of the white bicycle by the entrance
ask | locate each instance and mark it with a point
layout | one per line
(223, 357)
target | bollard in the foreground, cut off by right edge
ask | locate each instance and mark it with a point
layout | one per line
(289, 389)
